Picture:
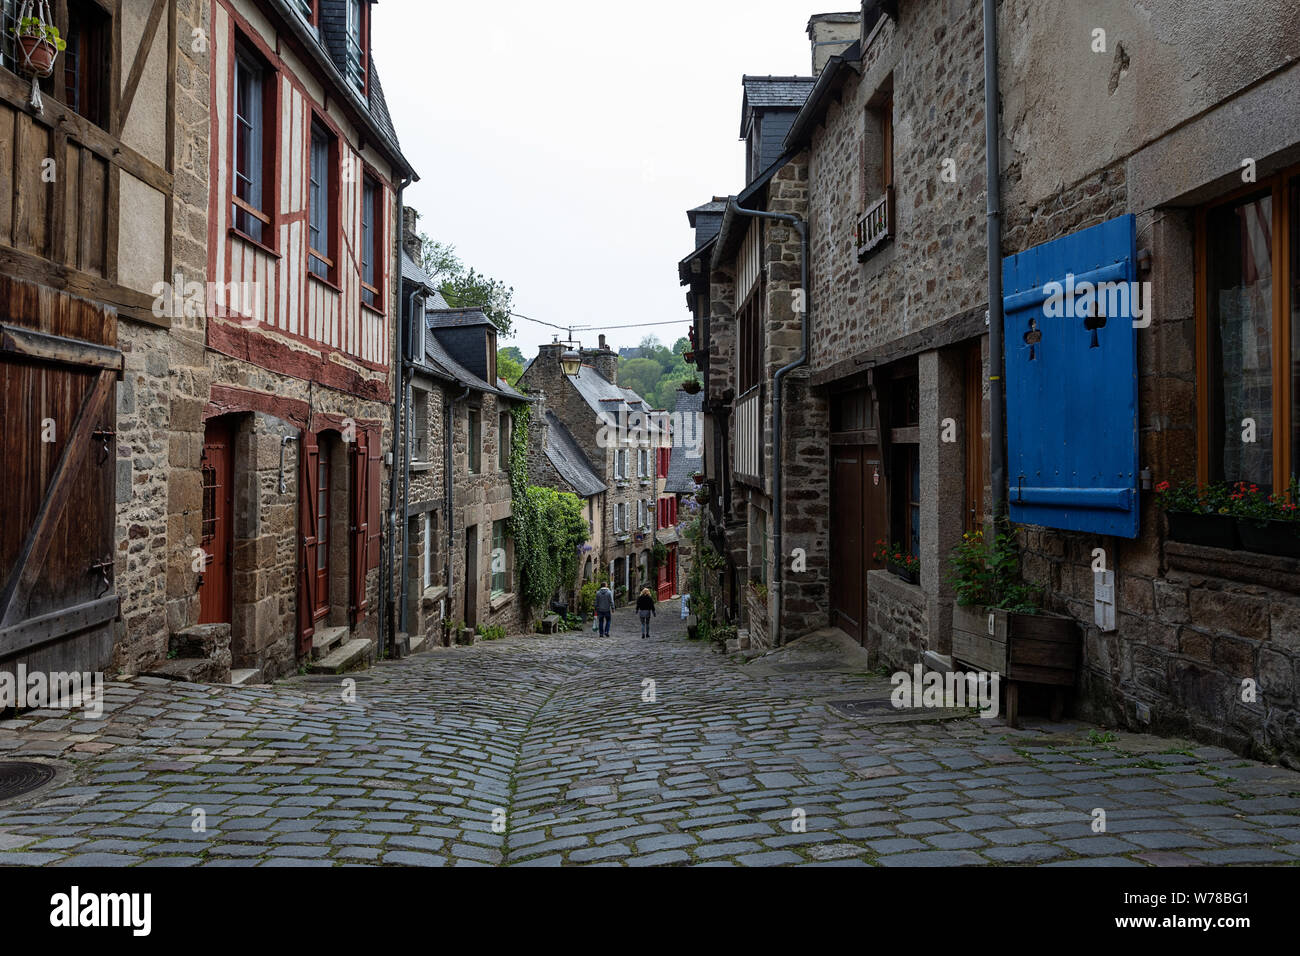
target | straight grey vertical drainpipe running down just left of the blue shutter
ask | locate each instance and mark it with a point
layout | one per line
(993, 175)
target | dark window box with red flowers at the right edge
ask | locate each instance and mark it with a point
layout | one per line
(1237, 517)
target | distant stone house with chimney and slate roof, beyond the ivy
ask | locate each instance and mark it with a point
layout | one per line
(616, 431)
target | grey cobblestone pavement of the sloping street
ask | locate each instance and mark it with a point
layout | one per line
(562, 741)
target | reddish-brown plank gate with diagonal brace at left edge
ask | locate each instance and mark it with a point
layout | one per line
(59, 371)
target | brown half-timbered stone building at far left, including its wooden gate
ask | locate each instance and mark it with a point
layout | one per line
(106, 202)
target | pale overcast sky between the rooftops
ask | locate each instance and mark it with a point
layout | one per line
(560, 145)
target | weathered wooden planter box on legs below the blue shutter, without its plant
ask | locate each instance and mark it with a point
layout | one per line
(1022, 648)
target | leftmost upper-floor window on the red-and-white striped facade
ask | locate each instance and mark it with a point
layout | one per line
(253, 198)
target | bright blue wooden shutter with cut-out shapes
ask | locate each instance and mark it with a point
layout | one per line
(1072, 382)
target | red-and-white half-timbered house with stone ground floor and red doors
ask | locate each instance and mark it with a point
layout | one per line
(254, 427)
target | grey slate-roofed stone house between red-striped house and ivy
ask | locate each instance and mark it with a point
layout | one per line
(457, 499)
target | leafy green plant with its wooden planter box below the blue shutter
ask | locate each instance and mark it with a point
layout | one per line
(998, 624)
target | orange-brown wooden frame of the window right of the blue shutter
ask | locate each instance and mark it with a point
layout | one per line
(1281, 188)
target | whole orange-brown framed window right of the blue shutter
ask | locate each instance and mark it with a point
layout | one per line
(1249, 335)
